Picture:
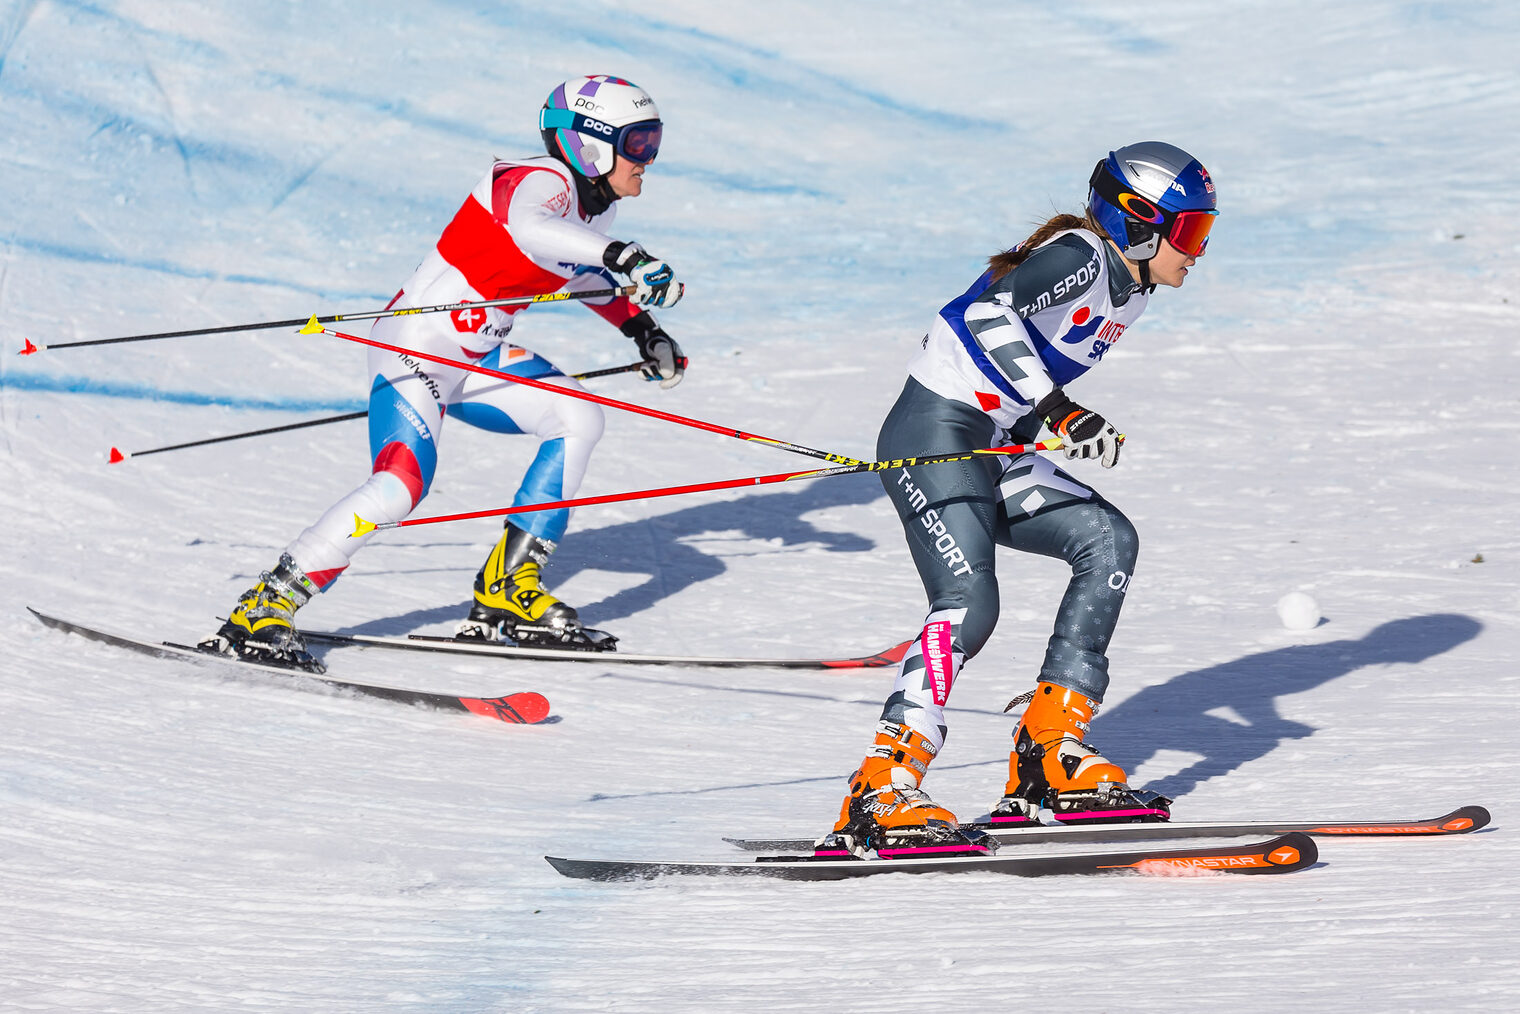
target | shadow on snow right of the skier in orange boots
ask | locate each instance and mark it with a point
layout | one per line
(1177, 715)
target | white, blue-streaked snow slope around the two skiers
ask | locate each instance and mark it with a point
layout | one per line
(1328, 407)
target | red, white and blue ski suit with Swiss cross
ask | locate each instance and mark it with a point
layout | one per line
(521, 232)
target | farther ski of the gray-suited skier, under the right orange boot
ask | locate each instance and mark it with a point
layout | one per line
(1458, 822)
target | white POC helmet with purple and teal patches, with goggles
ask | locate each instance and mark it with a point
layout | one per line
(589, 121)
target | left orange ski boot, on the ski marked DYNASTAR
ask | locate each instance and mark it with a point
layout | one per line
(888, 814)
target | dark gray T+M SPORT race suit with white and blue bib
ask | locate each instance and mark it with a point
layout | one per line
(990, 356)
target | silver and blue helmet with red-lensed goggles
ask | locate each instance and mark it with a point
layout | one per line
(1145, 192)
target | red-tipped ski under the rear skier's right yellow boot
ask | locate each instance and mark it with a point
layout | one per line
(429, 642)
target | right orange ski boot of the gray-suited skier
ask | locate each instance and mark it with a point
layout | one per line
(1054, 768)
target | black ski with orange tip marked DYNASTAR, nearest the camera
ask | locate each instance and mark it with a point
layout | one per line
(1285, 854)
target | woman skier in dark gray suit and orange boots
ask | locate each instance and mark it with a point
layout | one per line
(993, 369)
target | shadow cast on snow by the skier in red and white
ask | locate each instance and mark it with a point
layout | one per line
(654, 548)
